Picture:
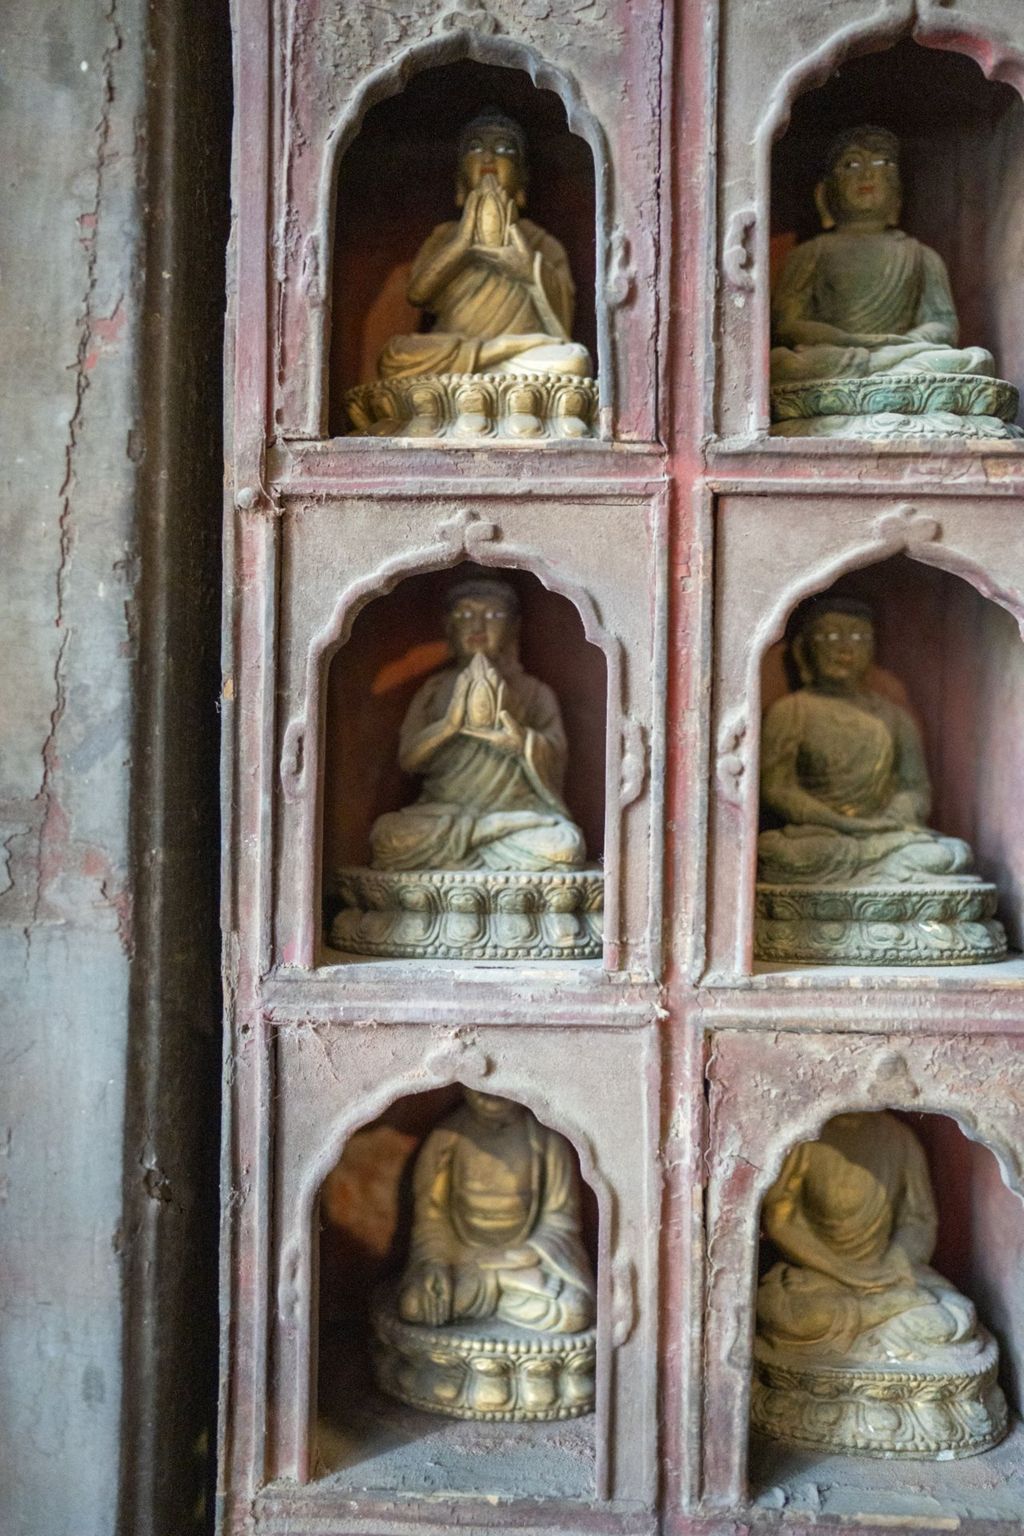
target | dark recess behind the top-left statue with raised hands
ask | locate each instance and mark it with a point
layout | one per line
(397, 182)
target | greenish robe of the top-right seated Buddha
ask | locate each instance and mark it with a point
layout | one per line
(887, 285)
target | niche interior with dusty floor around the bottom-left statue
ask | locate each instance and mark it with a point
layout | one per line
(366, 1440)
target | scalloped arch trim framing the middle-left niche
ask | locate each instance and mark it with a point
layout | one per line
(461, 538)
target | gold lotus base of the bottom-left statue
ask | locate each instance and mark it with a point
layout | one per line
(483, 1371)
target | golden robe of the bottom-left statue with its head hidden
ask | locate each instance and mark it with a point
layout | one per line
(500, 1208)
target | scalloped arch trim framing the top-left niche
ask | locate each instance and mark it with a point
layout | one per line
(448, 48)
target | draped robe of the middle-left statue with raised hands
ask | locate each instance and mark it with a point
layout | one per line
(481, 809)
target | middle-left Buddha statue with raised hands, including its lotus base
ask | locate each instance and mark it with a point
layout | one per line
(491, 747)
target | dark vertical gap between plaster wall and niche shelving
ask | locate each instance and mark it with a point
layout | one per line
(173, 1111)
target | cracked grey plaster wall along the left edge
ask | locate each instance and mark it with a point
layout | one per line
(71, 111)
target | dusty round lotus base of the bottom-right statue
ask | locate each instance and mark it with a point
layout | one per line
(922, 1411)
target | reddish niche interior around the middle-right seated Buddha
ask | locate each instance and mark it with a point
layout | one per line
(954, 658)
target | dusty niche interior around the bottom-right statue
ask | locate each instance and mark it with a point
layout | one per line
(980, 1248)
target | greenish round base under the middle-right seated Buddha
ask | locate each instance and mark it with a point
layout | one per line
(942, 924)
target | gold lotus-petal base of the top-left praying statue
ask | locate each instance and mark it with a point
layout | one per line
(475, 408)
